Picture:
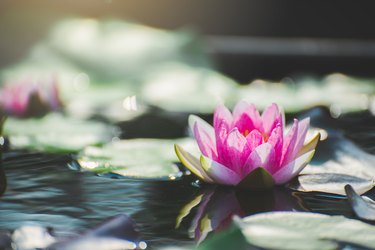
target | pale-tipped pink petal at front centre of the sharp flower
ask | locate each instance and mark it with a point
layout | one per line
(263, 156)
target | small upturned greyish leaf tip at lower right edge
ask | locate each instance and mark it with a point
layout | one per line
(363, 207)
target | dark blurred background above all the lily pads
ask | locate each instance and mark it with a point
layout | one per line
(22, 23)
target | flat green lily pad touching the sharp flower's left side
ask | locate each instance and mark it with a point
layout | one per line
(137, 158)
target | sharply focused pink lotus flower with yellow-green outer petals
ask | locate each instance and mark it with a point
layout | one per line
(247, 149)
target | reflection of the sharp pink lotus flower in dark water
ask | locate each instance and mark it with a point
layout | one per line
(212, 209)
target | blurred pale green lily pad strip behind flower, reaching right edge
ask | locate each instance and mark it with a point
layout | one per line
(338, 92)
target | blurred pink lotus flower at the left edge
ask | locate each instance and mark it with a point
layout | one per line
(25, 98)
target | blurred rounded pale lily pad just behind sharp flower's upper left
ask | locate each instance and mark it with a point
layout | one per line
(178, 87)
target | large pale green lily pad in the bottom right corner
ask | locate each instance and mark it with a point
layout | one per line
(298, 230)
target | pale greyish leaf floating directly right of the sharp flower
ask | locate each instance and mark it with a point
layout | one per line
(346, 164)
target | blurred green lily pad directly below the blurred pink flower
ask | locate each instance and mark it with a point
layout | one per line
(55, 133)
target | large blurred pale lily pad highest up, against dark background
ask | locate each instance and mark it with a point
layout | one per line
(114, 49)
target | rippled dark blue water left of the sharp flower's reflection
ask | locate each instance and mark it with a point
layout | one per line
(42, 190)
